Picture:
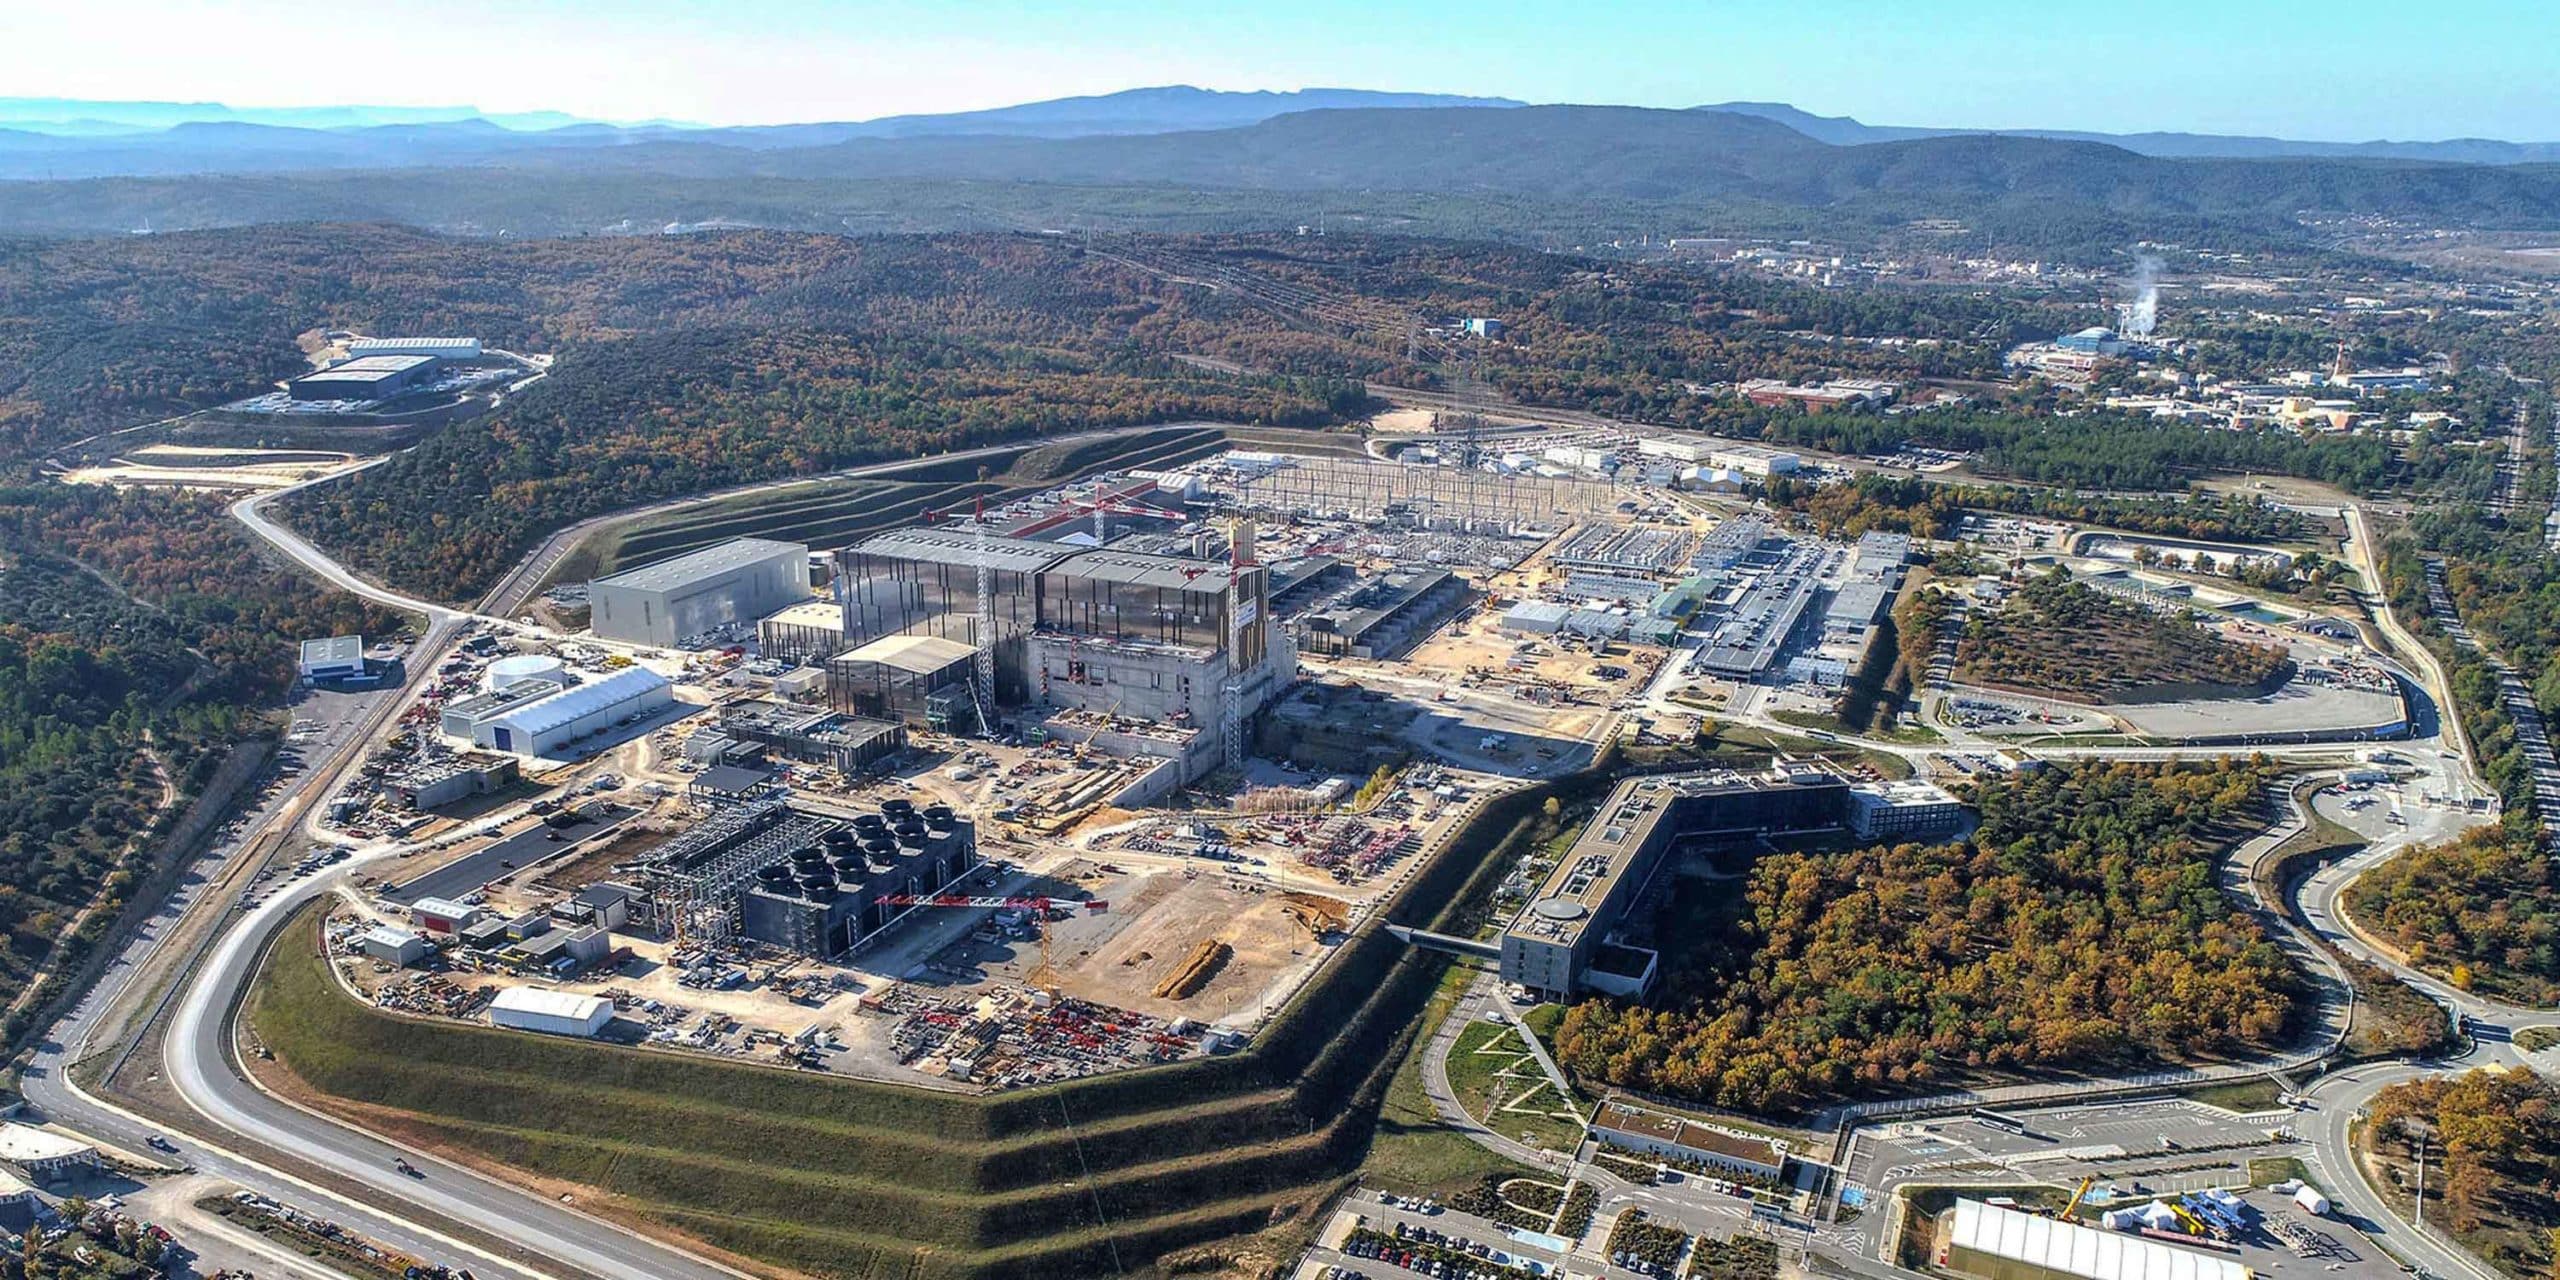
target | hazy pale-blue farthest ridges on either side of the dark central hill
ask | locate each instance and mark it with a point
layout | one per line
(73, 140)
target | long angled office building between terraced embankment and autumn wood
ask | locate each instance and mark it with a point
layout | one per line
(1565, 941)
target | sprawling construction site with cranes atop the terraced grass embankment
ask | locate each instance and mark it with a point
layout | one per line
(1023, 792)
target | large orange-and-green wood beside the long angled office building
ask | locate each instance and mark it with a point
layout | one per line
(2077, 928)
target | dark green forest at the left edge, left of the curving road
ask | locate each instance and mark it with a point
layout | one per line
(137, 636)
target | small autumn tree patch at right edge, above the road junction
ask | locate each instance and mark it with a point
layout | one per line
(2479, 910)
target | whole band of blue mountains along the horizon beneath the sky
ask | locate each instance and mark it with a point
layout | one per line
(1197, 160)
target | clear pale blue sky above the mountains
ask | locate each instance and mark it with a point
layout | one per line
(2295, 68)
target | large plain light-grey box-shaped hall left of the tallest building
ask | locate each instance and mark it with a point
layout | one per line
(677, 600)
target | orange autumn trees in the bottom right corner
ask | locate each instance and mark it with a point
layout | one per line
(2497, 1140)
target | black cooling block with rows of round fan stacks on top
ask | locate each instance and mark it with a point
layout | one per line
(808, 882)
